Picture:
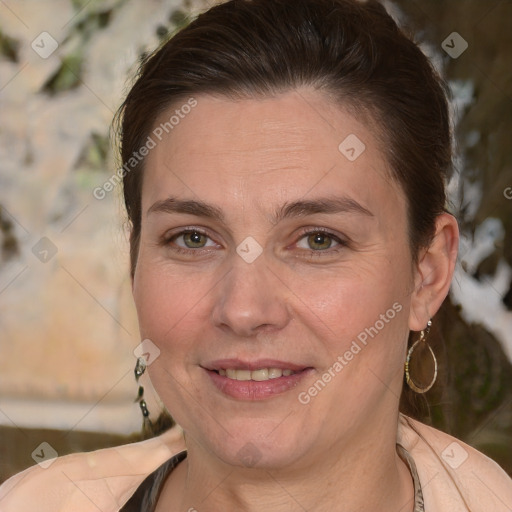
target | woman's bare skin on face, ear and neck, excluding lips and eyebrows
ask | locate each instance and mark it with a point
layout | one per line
(248, 158)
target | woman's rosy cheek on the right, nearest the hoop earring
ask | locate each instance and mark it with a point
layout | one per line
(361, 315)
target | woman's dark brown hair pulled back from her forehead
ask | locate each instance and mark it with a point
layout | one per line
(352, 51)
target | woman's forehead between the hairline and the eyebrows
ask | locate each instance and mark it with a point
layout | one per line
(267, 150)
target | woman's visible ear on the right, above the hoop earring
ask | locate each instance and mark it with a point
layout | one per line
(434, 272)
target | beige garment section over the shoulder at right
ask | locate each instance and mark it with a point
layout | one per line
(453, 475)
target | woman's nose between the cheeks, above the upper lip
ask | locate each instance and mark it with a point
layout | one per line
(251, 299)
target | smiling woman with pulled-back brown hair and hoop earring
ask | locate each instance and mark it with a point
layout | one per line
(284, 165)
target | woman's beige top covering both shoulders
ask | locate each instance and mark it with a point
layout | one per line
(453, 476)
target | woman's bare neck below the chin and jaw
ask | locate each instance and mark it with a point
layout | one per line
(371, 476)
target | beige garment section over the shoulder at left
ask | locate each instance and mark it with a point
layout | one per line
(100, 480)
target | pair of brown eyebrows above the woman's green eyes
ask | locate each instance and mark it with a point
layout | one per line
(300, 208)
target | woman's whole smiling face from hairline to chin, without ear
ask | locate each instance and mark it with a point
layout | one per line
(273, 241)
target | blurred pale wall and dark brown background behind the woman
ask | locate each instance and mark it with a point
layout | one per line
(67, 323)
